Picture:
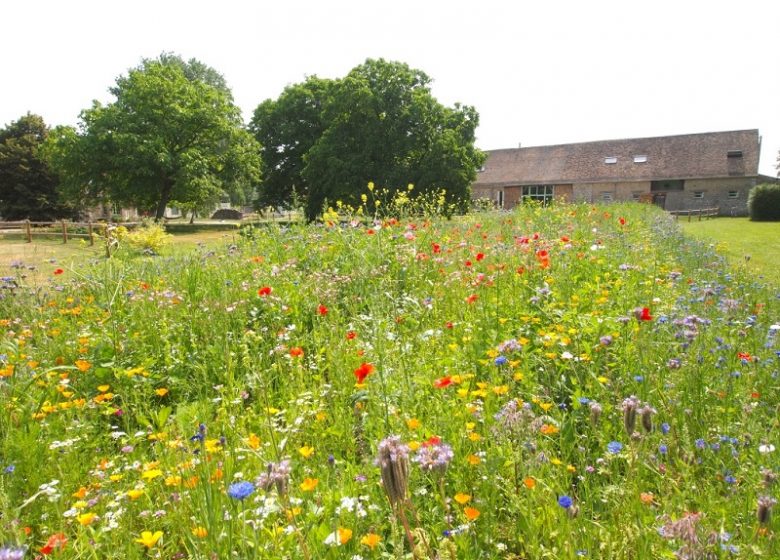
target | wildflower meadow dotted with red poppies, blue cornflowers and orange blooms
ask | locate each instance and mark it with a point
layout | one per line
(573, 381)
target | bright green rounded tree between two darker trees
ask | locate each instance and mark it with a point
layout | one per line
(172, 136)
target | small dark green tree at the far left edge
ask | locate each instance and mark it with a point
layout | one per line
(28, 188)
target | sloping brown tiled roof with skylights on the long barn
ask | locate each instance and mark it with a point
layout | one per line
(685, 156)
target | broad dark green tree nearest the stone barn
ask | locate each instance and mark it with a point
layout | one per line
(326, 139)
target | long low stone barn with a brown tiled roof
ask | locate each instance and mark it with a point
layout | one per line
(685, 172)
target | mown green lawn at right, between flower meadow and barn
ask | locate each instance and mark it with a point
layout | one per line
(738, 238)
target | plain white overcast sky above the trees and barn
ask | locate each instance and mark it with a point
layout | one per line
(538, 71)
